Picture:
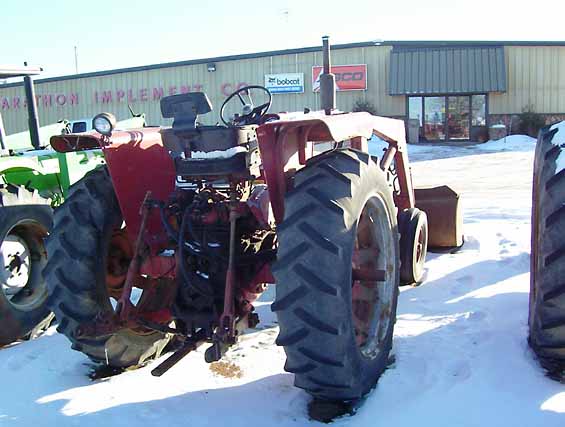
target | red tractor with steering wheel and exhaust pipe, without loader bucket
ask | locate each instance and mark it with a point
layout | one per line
(192, 222)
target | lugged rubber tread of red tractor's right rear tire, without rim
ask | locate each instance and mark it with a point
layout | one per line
(309, 302)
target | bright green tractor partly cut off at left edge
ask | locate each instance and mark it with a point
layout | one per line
(33, 180)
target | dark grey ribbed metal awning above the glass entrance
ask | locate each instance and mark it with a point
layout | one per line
(427, 71)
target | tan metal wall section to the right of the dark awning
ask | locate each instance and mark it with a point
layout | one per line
(536, 77)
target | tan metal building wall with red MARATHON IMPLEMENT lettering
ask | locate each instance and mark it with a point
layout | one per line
(231, 73)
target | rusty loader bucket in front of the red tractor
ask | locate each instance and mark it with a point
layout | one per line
(445, 220)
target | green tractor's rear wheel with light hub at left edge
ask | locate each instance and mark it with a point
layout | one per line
(25, 220)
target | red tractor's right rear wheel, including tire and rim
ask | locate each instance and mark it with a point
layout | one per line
(337, 275)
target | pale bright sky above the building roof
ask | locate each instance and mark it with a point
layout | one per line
(113, 34)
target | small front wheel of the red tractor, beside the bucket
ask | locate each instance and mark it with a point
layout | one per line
(413, 228)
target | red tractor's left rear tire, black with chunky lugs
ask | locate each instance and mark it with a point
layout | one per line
(80, 279)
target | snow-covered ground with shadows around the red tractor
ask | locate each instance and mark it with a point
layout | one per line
(460, 339)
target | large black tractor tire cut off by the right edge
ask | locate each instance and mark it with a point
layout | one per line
(547, 278)
